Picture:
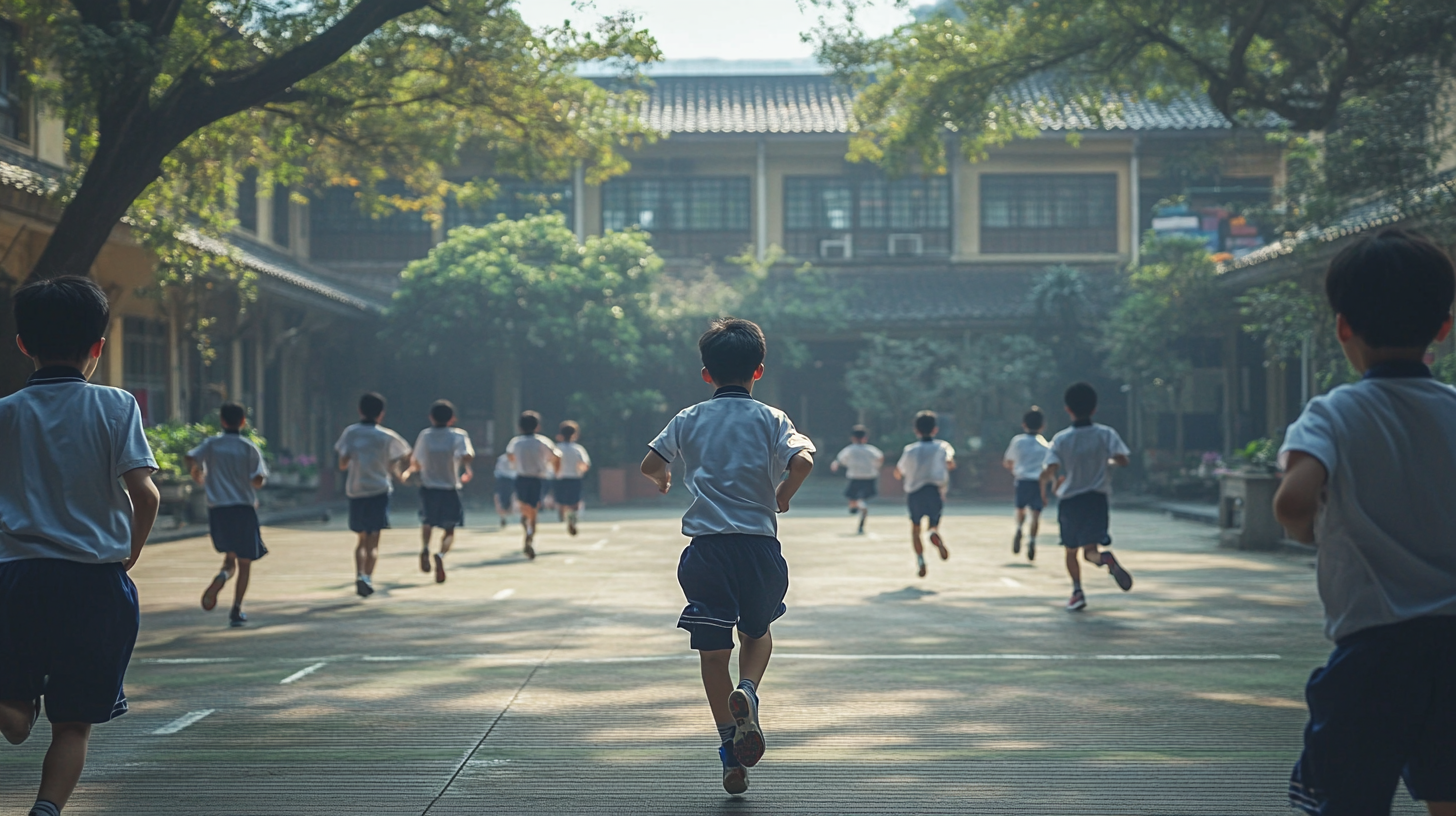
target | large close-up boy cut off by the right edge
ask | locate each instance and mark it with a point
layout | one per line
(1368, 477)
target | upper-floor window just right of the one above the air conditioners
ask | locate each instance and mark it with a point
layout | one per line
(1040, 213)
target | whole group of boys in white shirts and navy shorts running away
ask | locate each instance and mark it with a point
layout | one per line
(1368, 477)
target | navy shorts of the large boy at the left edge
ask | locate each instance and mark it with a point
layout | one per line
(66, 635)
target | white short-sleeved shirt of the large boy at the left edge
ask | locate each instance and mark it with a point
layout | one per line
(65, 445)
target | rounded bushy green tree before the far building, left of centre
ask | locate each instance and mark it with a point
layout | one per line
(516, 297)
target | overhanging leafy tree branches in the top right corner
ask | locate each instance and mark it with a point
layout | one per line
(962, 69)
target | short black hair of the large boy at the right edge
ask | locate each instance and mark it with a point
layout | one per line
(1394, 288)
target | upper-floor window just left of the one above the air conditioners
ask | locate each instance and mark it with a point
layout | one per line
(687, 216)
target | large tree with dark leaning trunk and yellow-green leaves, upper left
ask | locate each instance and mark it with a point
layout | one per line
(171, 100)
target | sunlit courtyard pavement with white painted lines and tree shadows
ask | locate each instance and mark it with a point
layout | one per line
(561, 686)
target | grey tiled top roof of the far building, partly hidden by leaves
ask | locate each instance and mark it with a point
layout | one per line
(819, 104)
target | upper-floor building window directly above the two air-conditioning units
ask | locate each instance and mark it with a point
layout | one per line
(842, 218)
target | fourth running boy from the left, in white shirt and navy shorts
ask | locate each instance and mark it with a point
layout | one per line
(440, 454)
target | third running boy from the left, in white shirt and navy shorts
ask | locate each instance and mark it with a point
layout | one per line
(375, 457)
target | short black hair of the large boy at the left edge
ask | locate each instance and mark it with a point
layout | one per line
(62, 318)
